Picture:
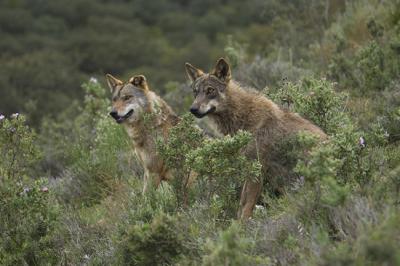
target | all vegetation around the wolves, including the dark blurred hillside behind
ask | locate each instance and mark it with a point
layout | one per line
(70, 185)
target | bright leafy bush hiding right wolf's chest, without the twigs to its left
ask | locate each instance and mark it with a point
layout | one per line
(222, 169)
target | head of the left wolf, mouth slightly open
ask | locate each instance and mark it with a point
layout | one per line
(129, 100)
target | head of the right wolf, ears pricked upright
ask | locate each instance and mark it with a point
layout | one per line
(209, 88)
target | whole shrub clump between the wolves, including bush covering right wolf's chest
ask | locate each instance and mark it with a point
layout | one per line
(217, 166)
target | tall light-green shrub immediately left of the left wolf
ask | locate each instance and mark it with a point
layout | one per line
(95, 153)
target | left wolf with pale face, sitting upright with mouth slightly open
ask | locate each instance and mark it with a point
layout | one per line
(131, 102)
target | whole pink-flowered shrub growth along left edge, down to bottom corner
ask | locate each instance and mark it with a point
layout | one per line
(29, 214)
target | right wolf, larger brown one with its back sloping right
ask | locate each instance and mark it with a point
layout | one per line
(232, 107)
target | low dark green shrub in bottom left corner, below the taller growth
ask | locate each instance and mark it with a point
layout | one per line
(28, 222)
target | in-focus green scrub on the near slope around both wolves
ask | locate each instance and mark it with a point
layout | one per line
(71, 193)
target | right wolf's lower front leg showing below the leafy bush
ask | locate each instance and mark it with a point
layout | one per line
(250, 193)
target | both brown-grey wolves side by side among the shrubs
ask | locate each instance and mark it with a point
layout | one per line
(226, 103)
